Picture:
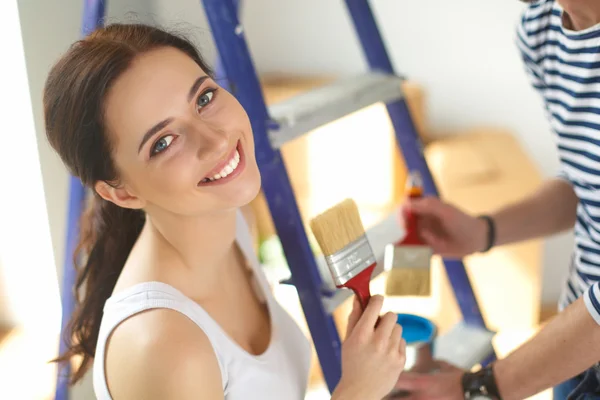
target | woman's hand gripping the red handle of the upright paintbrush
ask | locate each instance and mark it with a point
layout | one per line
(373, 354)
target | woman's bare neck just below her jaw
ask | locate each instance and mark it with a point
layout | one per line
(184, 248)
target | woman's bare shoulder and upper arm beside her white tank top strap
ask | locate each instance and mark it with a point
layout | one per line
(162, 354)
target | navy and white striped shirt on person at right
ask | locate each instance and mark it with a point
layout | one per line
(564, 67)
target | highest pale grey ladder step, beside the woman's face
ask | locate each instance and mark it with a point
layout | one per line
(307, 111)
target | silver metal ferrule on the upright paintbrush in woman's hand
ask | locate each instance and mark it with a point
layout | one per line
(351, 260)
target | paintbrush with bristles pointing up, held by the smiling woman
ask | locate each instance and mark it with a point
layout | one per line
(341, 236)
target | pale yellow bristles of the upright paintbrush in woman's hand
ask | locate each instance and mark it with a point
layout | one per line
(337, 227)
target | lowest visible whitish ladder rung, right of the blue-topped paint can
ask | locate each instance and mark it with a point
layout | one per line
(464, 345)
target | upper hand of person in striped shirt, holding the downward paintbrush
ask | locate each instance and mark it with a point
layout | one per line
(448, 230)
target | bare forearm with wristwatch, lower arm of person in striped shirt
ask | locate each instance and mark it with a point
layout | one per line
(567, 346)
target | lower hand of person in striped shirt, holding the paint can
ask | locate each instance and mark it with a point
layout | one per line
(443, 384)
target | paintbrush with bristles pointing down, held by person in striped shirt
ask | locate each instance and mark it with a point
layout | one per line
(410, 274)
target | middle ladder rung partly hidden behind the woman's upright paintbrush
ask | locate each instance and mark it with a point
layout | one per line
(380, 237)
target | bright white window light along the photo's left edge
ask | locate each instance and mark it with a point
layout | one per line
(28, 284)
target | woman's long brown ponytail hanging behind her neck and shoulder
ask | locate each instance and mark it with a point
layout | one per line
(108, 233)
